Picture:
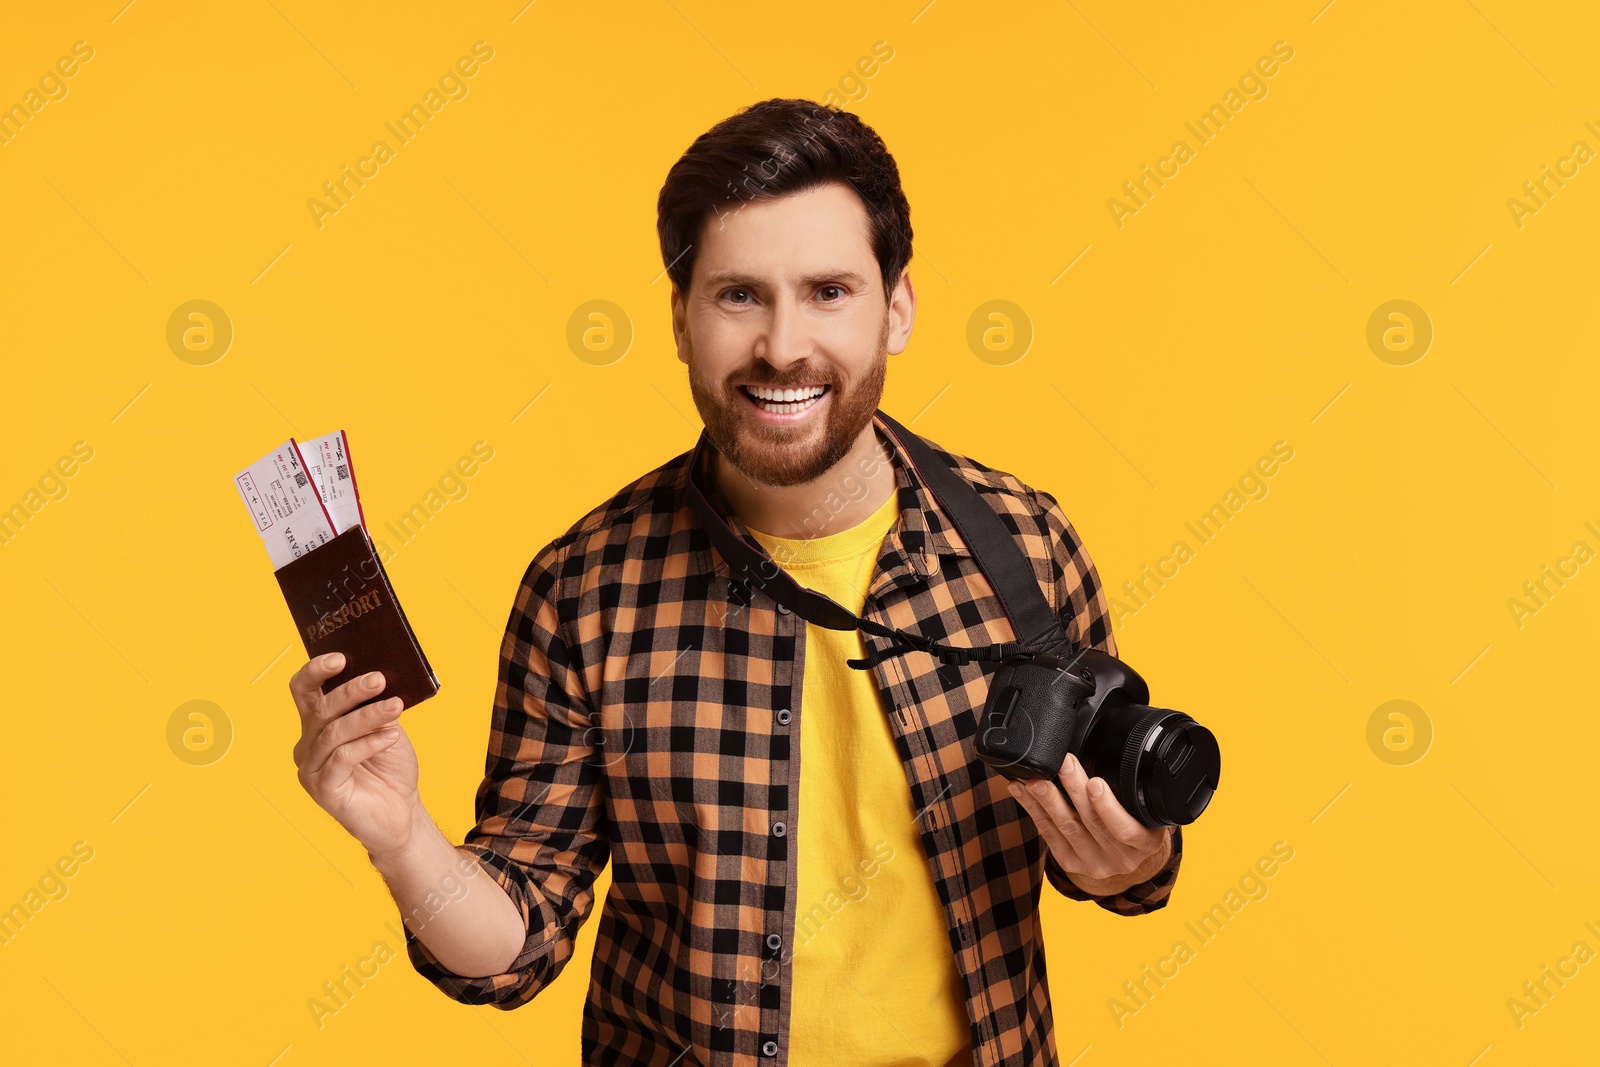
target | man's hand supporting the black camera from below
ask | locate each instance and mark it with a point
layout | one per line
(1102, 847)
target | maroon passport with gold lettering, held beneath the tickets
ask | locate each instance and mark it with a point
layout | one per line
(343, 602)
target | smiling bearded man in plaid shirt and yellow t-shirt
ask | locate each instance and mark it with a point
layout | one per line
(809, 861)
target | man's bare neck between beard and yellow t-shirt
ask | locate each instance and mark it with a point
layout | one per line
(838, 500)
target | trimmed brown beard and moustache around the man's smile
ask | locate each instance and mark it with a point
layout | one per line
(785, 455)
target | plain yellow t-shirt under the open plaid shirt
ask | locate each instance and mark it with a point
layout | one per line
(874, 973)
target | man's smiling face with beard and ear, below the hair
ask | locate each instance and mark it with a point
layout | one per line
(786, 295)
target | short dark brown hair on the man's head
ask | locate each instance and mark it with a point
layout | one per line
(775, 150)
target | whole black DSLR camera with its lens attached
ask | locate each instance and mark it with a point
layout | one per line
(1162, 765)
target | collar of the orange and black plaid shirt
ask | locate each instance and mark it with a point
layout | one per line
(911, 549)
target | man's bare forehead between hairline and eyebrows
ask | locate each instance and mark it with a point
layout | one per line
(826, 228)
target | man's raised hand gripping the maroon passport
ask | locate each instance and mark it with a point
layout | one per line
(359, 767)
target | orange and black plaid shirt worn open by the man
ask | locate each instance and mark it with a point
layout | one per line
(647, 713)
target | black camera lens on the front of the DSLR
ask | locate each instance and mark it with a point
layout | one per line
(1162, 765)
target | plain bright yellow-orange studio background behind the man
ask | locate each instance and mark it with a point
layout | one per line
(1228, 314)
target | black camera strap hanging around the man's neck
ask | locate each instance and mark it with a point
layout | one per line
(1002, 562)
